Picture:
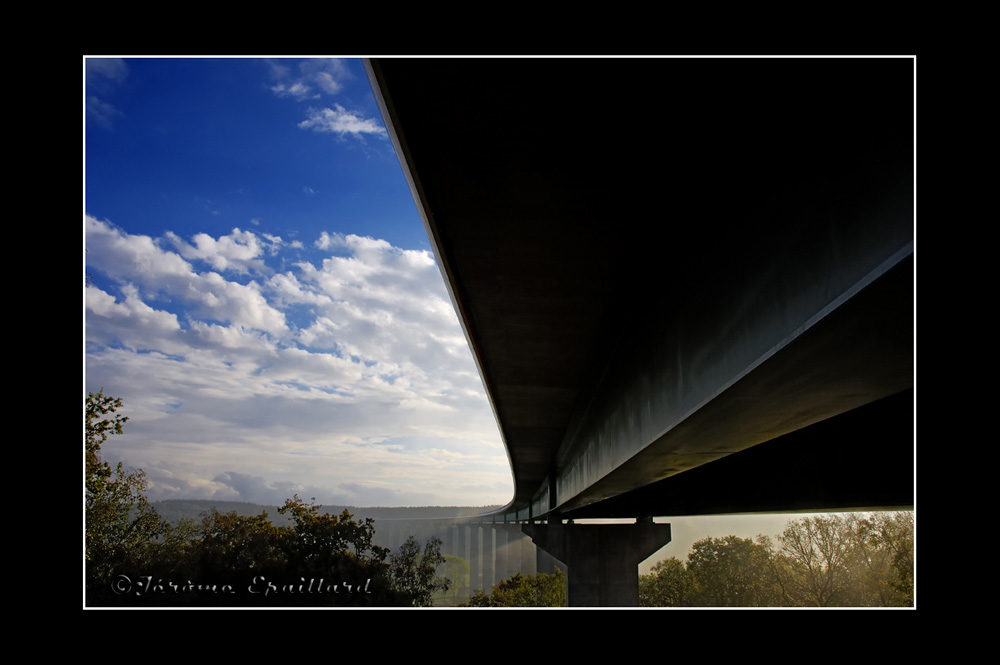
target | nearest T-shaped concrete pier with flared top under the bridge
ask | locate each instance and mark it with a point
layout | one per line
(602, 559)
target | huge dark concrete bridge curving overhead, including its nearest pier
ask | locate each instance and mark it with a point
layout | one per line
(688, 283)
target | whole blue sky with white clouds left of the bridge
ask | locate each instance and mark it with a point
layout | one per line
(263, 294)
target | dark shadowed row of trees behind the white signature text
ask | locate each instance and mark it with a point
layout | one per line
(134, 557)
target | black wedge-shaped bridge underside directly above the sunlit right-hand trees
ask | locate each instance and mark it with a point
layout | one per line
(861, 460)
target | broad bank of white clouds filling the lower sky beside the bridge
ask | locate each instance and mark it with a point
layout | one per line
(313, 378)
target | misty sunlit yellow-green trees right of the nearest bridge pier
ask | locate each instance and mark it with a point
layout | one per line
(836, 560)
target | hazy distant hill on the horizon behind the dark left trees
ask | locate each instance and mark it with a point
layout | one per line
(176, 509)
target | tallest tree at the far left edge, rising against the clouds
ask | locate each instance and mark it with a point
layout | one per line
(121, 527)
